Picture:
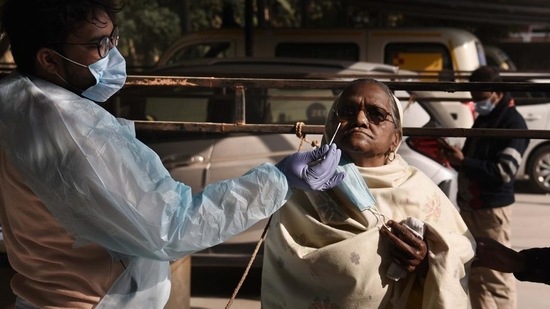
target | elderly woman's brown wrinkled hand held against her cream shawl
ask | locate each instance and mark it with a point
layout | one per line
(407, 249)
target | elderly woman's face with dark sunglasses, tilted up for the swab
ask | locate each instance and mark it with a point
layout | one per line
(367, 131)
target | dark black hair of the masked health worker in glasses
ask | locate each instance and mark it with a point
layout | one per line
(34, 24)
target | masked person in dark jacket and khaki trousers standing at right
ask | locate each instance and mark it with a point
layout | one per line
(486, 174)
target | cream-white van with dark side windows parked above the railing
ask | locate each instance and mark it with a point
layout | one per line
(416, 49)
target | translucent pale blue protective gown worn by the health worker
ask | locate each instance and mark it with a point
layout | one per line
(106, 187)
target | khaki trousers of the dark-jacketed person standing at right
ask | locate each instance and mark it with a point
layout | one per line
(491, 289)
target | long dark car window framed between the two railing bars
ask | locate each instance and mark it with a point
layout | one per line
(204, 104)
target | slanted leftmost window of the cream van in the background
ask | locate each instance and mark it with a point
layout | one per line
(201, 51)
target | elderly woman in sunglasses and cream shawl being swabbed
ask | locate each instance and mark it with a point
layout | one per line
(333, 249)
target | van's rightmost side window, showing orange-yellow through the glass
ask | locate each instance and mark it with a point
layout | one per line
(418, 56)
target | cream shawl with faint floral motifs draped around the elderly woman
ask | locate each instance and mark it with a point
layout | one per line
(322, 252)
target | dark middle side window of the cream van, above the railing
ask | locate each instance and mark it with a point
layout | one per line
(340, 51)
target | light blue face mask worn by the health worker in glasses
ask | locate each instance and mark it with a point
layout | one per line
(109, 73)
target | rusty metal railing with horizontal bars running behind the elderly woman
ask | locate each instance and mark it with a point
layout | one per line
(241, 84)
